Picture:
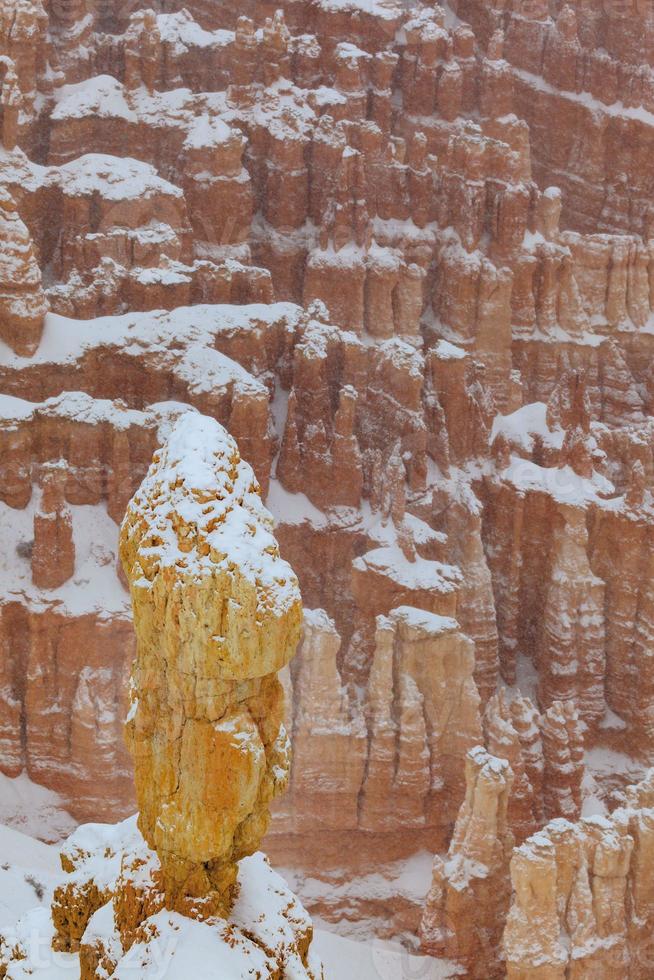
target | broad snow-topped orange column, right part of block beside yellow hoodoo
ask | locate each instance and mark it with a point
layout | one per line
(422, 713)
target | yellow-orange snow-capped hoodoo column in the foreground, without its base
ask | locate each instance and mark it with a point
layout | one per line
(217, 614)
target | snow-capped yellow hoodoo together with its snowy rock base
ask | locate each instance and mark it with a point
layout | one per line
(217, 613)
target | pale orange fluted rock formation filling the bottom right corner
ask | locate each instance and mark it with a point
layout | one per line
(581, 901)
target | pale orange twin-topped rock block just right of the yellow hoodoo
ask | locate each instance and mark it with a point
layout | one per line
(393, 760)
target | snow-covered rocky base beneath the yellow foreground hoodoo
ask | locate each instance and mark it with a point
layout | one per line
(267, 934)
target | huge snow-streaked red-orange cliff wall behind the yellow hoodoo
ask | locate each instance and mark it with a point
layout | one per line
(403, 254)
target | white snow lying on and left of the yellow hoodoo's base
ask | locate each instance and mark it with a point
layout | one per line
(266, 916)
